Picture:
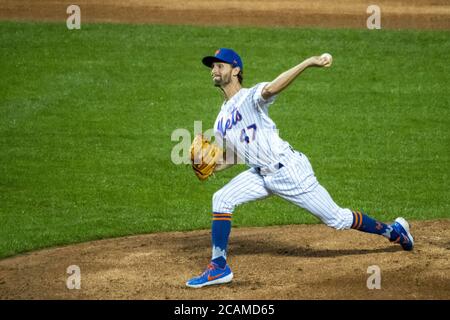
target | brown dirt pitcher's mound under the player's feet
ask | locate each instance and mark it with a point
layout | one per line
(283, 262)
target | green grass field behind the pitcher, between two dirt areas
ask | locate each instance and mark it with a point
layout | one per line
(86, 118)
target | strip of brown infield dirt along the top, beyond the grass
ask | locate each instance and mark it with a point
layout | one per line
(416, 14)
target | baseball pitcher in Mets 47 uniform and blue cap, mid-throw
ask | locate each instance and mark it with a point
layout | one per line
(243, 128)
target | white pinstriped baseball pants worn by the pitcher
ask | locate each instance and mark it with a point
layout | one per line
(295, 182)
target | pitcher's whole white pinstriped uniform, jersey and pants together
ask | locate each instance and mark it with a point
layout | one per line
(244, 125)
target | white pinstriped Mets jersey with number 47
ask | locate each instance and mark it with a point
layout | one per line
(245, 128)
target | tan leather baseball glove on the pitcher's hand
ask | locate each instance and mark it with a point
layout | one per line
(204, 156)
